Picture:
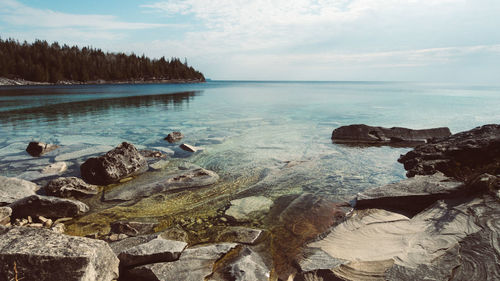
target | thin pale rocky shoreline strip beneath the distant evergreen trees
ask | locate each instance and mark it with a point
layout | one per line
(6, 82)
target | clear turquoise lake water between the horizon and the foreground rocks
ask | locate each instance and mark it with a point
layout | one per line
(276, 132)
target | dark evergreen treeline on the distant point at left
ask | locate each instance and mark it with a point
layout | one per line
(43, 62)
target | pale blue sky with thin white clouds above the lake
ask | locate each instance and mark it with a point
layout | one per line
(325, 40)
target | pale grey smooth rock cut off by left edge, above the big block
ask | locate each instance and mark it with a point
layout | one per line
(13, 189)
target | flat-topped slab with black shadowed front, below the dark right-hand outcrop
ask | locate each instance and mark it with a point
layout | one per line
(412, 195)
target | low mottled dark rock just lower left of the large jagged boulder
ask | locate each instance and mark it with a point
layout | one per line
(70, 187)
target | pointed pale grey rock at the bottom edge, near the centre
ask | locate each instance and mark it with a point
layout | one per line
(242, 264)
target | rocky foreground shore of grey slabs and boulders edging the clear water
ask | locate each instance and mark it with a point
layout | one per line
(442, 223)
